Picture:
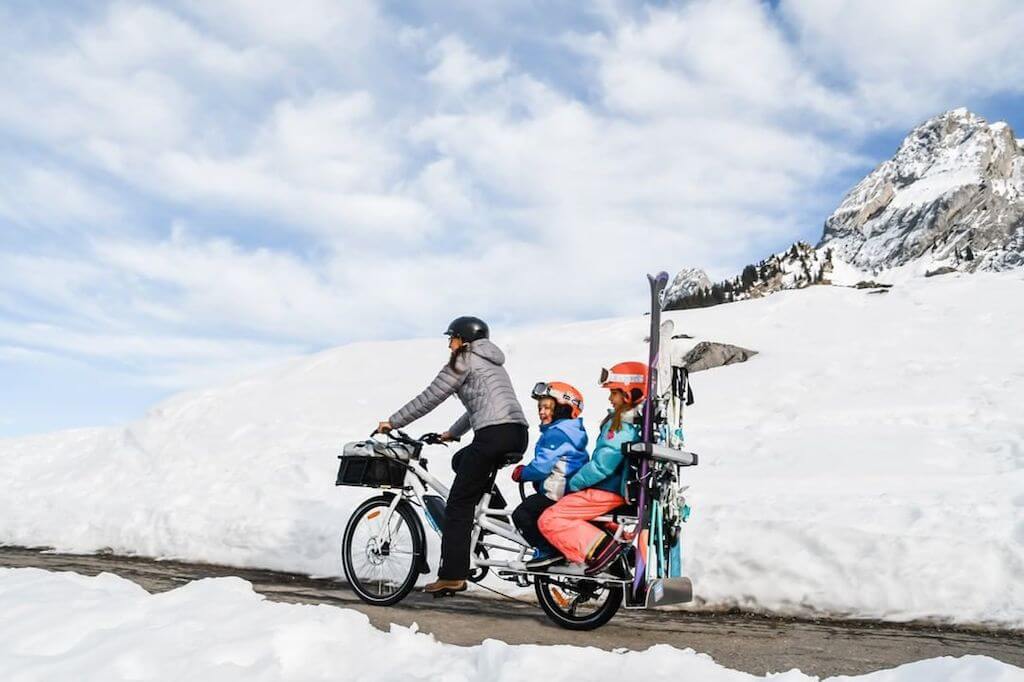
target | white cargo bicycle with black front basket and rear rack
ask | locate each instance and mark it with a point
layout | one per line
(385, 545)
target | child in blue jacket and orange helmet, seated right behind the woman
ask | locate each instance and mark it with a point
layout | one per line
(561, 452)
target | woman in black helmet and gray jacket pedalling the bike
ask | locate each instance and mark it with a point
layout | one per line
(476, 374)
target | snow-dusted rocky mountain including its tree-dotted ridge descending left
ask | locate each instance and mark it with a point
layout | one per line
(951, 199)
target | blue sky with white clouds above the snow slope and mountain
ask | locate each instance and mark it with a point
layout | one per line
(193, 191)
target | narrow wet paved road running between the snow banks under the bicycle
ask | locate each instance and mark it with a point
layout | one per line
(750, 644)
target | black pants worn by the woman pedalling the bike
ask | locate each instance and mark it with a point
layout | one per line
(476, 466)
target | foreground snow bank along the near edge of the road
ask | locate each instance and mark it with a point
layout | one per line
(70, 627)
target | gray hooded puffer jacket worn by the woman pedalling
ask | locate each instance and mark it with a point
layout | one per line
(483, 386)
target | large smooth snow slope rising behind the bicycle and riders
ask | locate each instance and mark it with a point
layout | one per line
(869, 462)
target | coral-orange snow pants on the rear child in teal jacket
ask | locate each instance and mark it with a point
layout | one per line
(567, 524)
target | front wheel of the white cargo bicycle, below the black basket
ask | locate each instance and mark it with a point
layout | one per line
(381, 555)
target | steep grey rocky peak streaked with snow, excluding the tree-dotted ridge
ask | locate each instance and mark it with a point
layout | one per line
(954, 195)
